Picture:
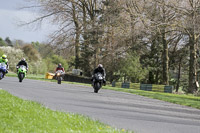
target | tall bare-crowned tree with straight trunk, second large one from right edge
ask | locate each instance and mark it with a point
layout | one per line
(162, 19)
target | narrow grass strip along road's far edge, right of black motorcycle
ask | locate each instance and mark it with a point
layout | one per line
(186, 100)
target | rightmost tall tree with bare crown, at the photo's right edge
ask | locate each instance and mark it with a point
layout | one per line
(189, 17)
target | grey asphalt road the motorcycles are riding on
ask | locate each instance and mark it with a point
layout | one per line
(118, 109)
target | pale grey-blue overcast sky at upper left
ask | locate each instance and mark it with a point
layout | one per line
(10, 16)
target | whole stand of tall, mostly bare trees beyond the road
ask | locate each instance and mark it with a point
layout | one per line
(104, 31)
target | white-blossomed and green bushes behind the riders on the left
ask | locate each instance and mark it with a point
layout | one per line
(31, 52)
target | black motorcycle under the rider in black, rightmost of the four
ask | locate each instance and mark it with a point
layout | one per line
(97, 82)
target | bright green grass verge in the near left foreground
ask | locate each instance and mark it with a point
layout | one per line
(22, 116)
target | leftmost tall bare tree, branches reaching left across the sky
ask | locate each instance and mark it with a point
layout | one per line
(65, 14)
